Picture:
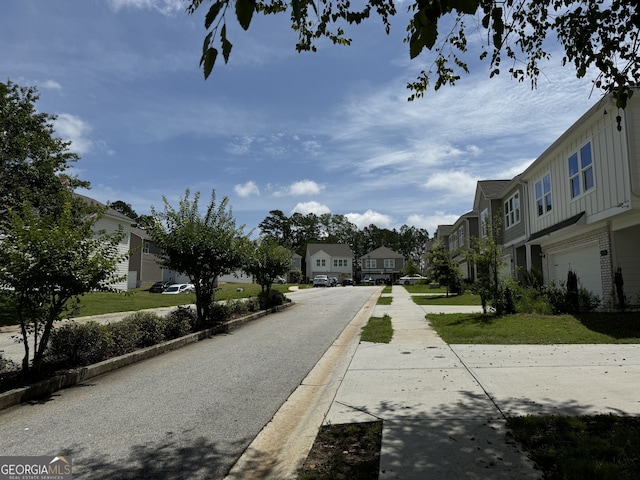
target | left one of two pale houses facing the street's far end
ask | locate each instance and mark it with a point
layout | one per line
(332, 259)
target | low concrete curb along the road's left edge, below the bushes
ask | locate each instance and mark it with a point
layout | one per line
(75, 376)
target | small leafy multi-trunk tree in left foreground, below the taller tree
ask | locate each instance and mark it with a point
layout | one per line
(47, 262)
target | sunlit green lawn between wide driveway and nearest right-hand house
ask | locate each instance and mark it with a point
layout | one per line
(594, 328)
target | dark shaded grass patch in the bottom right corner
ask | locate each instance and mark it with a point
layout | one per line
(603, 447)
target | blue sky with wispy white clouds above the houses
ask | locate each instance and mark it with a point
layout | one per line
(274, 129)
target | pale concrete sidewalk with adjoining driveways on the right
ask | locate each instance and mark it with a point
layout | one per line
(444, 408)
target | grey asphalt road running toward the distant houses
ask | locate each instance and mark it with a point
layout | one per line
(190, 413)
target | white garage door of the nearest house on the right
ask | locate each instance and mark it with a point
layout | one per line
(585, 261)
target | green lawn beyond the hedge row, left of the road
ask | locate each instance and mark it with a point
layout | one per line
(97, 303)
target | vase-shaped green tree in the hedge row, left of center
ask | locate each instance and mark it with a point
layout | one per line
(201, 247)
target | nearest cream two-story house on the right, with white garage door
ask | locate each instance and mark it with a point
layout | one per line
(583, 200)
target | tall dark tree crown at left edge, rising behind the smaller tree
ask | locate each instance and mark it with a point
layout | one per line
(32, 160)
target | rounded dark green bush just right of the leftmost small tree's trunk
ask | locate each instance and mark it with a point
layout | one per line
(76, 345)
